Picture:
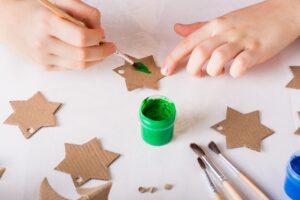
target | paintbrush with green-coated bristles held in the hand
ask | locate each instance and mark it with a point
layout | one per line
(62, 14)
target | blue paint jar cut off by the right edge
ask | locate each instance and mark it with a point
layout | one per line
(292, 180)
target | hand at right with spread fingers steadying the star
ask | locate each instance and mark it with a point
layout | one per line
(247, 37)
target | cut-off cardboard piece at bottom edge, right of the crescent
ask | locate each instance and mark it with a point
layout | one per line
(96, 193)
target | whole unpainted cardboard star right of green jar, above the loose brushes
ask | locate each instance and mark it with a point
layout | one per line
(243, 129)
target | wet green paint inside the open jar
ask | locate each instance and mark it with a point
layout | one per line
(158, 109)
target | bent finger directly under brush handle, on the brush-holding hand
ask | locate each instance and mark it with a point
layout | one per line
(73, 34)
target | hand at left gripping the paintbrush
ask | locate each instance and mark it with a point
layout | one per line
(50, 41)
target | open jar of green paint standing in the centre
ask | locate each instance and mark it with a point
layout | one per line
(157, 116)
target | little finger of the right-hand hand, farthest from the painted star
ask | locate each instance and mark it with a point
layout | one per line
(242, 62)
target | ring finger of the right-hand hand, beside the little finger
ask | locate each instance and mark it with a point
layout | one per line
(221, 56)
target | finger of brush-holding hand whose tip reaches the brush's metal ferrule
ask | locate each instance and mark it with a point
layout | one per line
(86, 54)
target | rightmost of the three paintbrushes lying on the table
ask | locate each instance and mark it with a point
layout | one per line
(250, 183)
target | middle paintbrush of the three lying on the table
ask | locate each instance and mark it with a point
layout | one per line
(233, 193)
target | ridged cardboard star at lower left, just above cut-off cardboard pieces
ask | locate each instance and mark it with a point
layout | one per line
(87, 161)
